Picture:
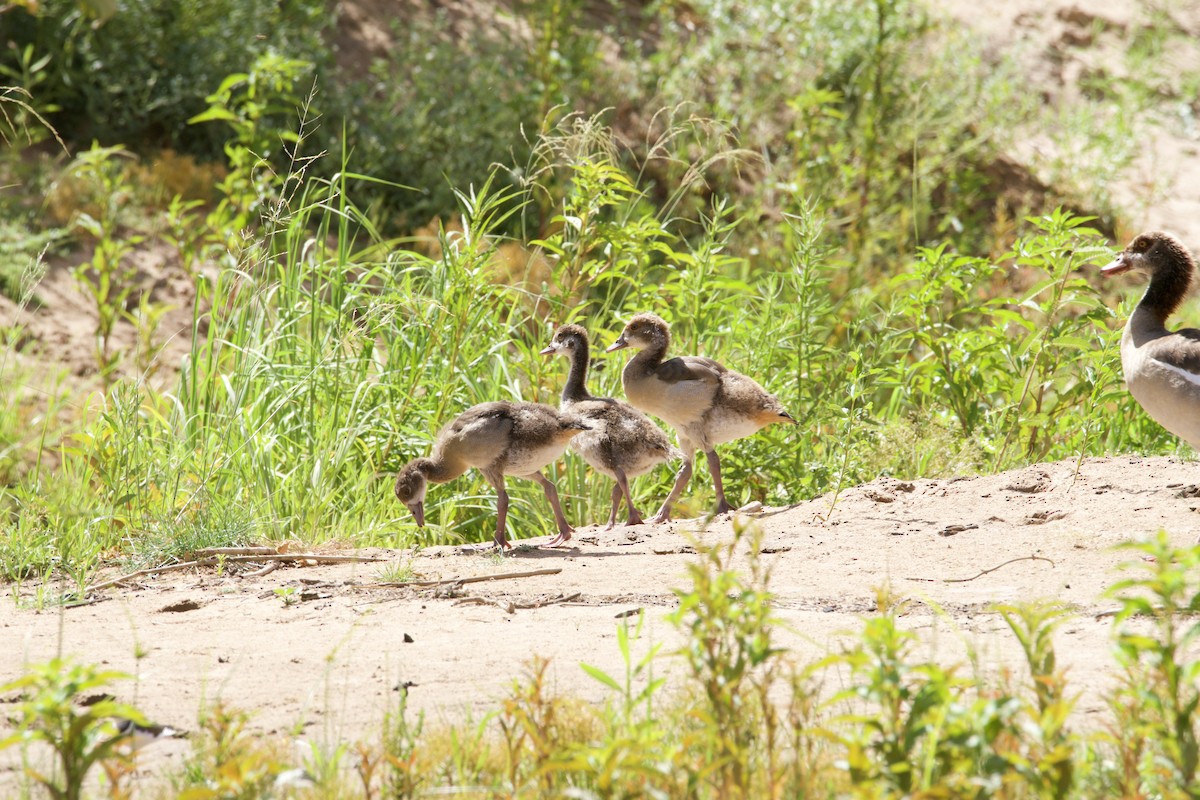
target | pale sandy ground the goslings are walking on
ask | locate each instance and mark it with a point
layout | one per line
(329, 666)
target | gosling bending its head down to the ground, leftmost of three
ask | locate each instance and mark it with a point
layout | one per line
(497, 440)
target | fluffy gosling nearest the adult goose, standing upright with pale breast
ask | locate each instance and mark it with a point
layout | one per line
(704, 401)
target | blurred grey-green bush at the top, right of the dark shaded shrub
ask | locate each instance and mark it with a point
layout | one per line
(459, 101)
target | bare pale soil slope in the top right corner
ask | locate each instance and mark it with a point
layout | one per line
(1066, 50)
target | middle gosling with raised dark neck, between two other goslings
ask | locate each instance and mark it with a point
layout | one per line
(623, 443)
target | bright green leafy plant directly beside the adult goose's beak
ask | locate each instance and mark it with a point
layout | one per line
(1007, 366)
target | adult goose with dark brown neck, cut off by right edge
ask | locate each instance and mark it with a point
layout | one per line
(1162, 368)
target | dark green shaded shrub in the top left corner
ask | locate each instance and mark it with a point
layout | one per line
(140, 73)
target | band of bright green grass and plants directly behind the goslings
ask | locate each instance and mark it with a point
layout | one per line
(331, 356)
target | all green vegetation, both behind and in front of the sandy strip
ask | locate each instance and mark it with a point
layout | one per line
(809, 193)
